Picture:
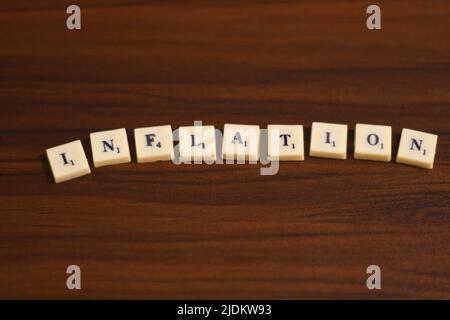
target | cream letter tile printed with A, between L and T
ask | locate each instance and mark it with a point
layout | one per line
(241, 142)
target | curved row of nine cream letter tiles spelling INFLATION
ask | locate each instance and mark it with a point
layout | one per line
(241, 142)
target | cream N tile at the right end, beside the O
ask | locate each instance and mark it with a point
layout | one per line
(417, 148)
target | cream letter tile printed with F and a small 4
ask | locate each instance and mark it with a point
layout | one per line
(154, 144)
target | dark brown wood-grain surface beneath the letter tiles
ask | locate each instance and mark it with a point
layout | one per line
(167, 231)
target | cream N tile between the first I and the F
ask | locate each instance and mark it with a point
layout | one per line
(110, 147)
